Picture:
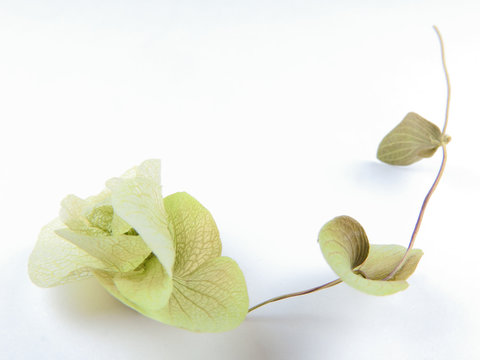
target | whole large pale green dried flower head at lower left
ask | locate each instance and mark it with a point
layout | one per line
(161, 257)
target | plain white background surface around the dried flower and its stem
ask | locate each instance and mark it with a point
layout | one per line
(269, 113)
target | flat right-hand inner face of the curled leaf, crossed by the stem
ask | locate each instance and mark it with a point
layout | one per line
(383, 259)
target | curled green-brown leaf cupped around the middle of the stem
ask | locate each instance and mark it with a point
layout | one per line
(346, 249)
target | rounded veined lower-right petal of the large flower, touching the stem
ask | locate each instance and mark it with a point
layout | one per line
(213, 298)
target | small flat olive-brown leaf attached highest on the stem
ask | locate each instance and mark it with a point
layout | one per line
(410, 141)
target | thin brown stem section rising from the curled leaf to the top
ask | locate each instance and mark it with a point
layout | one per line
(445, 140)
